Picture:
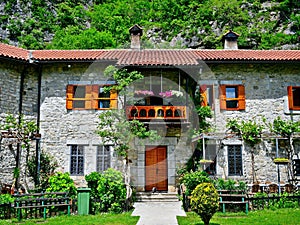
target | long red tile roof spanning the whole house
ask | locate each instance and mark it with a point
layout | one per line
(151, 57)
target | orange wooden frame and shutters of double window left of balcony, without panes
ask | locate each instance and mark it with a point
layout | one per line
(92, 97)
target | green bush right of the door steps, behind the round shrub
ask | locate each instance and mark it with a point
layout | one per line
(192, 179)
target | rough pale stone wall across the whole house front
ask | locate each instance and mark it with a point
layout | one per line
(266, 95)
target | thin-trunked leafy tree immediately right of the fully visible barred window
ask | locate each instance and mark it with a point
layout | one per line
(250, 131)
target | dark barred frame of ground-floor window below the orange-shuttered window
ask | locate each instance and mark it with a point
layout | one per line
(240, 155)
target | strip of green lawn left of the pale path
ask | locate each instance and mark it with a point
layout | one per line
(107, 219)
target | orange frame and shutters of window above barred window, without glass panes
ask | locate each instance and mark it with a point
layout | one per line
(241, 99)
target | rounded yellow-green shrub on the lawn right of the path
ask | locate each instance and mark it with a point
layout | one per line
(205, 201)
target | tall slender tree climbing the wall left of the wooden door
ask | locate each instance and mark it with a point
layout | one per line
(114, 128)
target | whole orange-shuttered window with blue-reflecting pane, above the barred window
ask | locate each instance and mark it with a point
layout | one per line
(232, 97)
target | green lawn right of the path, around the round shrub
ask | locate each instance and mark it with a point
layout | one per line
(265, 217)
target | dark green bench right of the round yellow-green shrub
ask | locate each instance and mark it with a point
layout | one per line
(237, 199)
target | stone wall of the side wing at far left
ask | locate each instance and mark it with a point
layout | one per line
(10, 73)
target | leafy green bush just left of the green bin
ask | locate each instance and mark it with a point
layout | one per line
(62, 182)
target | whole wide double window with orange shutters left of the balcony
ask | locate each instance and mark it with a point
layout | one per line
(90, 97)
